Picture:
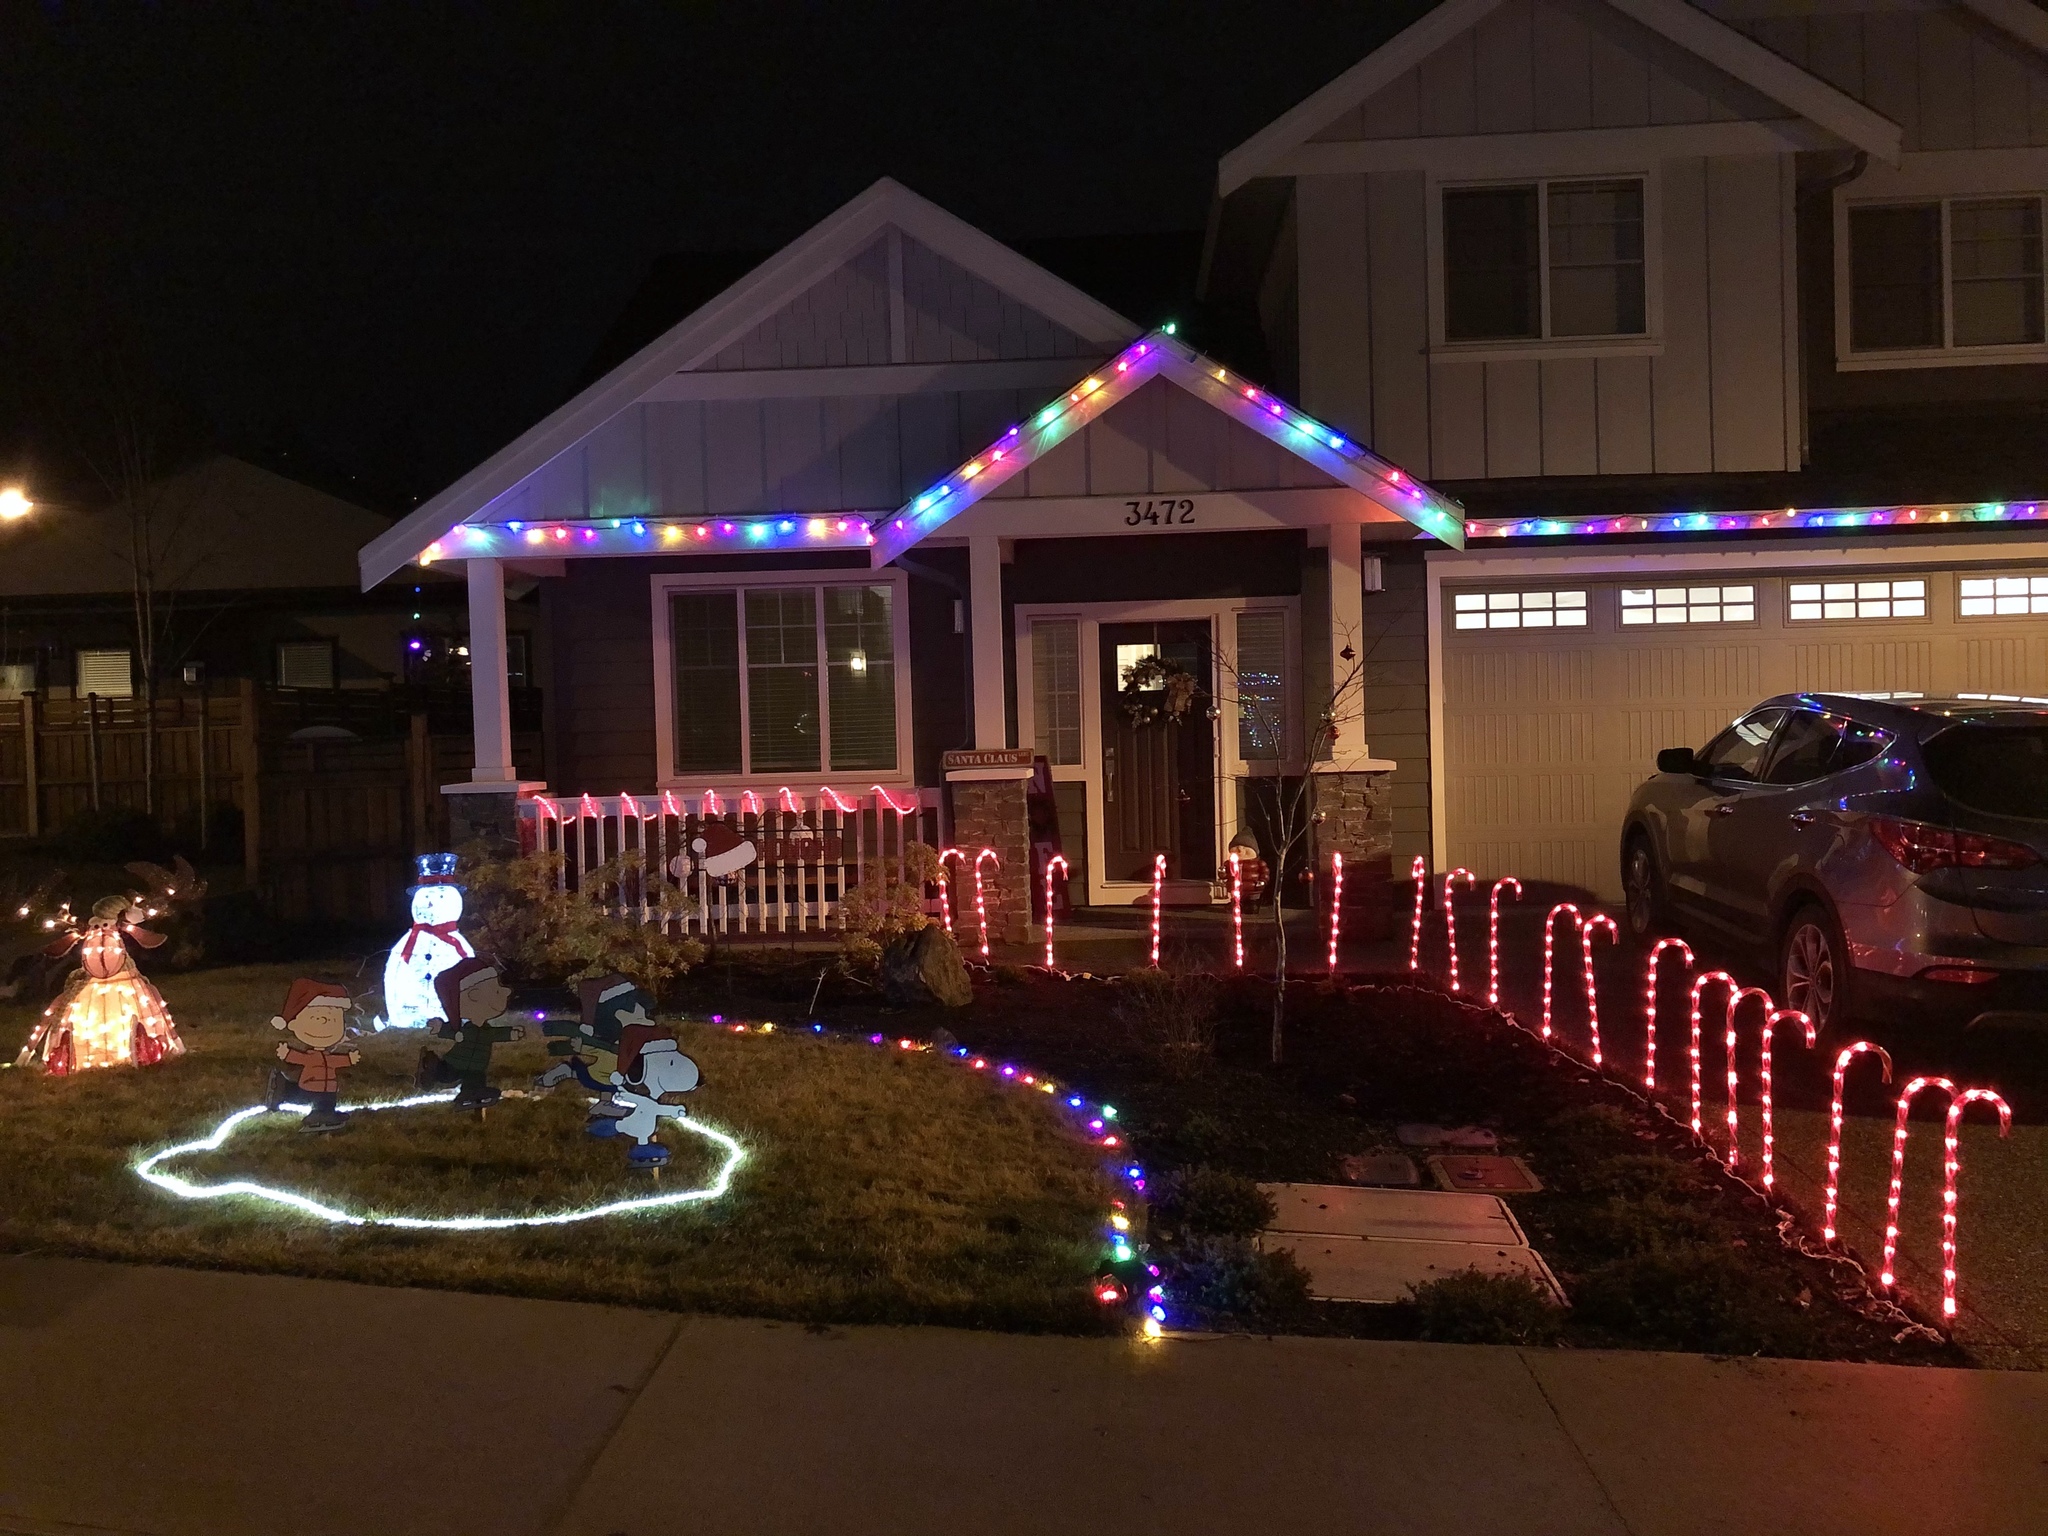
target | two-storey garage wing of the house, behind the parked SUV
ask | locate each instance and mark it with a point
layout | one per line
(1725, 323)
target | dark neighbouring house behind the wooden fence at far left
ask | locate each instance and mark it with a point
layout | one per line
(253, 579)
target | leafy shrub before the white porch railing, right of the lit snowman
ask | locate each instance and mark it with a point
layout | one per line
(519, 914)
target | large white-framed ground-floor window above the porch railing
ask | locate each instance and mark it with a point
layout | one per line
(785, 679)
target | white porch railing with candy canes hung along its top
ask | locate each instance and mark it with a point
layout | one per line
(808, 851)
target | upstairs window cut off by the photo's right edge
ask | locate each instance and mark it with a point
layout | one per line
(1947, 275)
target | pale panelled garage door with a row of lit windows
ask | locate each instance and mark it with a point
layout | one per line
(1560, 691)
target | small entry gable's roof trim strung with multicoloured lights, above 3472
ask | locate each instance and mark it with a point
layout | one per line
(1162, 355)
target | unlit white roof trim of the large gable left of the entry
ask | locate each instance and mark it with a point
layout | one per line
(730, 316)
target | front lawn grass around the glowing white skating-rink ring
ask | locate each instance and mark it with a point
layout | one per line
(878, 1185)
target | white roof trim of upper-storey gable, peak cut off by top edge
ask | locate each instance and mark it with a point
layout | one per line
(1676, 22)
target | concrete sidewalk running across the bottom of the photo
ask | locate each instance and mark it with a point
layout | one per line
(177, 1404)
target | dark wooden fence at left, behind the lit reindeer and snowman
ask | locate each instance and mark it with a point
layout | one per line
(335, 794)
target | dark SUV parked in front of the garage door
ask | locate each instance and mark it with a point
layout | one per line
(1889, 853)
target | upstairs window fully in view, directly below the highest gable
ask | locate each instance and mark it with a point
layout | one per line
(1553, 259)
